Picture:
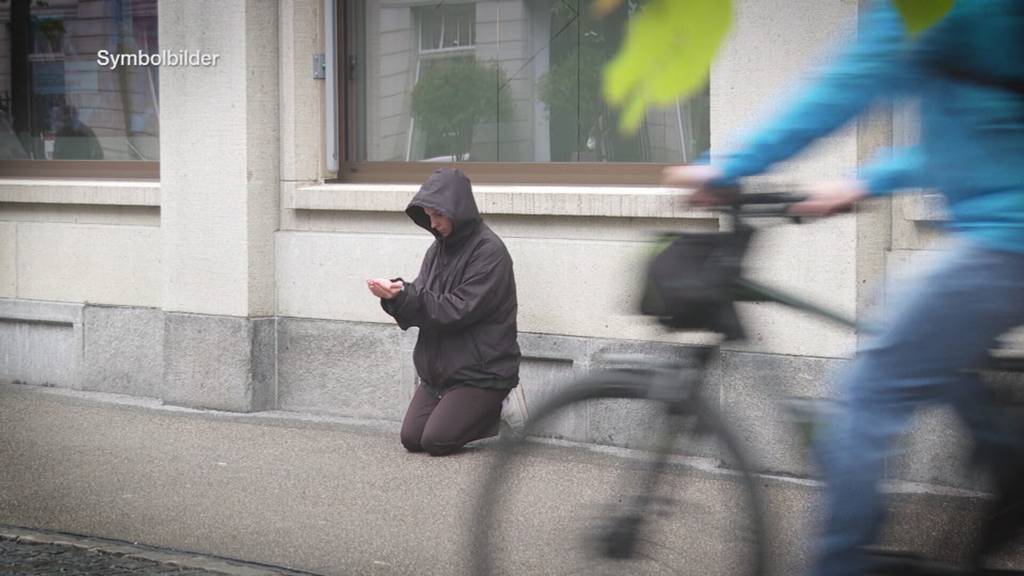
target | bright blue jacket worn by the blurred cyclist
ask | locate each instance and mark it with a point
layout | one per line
(972, 142)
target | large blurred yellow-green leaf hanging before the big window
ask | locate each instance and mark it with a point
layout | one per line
(667, 55)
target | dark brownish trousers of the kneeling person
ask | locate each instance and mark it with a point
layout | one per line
(443, 426)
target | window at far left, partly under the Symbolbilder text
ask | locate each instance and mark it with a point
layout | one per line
(63, 112)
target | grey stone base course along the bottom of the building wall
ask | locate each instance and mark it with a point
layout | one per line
(365, 371)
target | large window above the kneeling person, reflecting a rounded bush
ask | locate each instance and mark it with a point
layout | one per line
(513, 87)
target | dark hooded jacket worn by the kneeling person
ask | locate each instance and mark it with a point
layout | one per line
(464, 300)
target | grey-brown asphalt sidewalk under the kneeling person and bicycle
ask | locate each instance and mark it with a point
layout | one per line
(323, 496)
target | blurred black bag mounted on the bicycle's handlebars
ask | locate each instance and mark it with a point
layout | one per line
(692, 284)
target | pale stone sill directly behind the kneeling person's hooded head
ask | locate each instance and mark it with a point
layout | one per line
(618, 202)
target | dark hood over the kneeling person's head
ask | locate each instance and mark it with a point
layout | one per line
(449, 192)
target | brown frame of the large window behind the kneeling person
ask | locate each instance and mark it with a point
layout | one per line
(351, 172)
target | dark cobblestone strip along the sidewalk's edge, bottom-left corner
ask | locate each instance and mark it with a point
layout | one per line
(34, 553)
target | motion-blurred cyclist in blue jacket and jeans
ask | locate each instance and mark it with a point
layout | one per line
(967, 73)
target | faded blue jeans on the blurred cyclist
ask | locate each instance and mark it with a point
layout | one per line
(940, 326)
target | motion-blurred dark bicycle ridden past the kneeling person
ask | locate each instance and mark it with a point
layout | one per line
(646, 498)
